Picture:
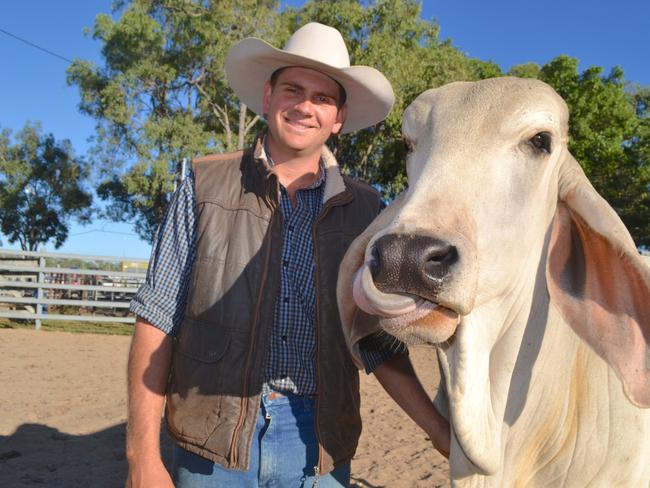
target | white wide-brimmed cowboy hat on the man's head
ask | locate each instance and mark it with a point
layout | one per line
(250, 63)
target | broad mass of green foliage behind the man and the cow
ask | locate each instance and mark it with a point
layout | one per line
(162, 96)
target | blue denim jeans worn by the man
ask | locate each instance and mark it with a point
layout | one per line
(283, 454)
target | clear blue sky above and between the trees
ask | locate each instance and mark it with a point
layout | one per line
(509, 32)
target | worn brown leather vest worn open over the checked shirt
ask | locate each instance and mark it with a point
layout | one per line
(214, 391)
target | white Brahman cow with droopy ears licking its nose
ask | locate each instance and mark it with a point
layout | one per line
(502, 254)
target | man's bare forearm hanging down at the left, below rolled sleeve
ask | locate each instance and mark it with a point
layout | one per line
(148, 372)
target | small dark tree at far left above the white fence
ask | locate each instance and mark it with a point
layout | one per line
(41, 188)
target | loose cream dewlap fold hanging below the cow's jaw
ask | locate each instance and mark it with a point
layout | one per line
(479, 367)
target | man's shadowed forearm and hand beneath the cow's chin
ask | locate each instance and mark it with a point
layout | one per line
(398, 378)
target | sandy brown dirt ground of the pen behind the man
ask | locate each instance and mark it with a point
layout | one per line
(63, 413)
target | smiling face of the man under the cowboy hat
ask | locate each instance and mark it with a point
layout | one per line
(302, 112)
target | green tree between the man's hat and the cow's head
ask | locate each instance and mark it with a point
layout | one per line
(391, 36)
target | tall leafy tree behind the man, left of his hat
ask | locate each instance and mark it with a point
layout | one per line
(162, 95)
